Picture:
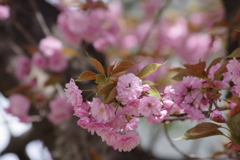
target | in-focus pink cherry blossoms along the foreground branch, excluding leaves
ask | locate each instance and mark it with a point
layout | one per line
(116, 122)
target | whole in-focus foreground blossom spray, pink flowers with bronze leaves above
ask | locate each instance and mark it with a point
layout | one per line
(126, 98)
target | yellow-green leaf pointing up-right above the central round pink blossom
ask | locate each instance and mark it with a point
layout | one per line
(147, 70)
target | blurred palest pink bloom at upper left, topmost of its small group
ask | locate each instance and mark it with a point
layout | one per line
(50, 45)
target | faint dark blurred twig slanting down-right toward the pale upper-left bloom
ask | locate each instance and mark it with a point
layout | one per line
(21, 29)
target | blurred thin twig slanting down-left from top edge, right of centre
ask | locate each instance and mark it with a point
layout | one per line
(156, 19)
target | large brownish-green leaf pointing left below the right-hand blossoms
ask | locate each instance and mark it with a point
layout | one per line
(205, 129)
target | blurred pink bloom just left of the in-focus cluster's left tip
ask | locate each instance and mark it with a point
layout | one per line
(60, 110)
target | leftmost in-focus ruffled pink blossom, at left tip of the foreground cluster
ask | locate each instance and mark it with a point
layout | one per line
(73, 94)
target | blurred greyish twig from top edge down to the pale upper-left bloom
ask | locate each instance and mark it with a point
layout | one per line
(40, 18)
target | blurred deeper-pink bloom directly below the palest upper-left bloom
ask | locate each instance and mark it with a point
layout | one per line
(57, 62)
